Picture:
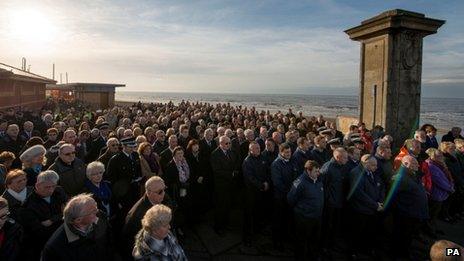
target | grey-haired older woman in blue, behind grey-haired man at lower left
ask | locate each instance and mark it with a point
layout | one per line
(99, 188)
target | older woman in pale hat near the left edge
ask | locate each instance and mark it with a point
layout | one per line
(33, 160)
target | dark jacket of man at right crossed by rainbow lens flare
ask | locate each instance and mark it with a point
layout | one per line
(409, 195)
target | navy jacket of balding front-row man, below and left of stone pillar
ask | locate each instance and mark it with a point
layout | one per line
(365, 191)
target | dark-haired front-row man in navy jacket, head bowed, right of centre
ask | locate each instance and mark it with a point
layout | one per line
(306, 198)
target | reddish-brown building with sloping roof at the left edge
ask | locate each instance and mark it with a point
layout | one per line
(21, 89)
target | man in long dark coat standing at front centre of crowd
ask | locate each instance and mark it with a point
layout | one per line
(224, 163)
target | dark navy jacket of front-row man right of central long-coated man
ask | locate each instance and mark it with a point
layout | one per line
(255, 172)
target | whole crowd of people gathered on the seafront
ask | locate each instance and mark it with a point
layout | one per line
(126, 183)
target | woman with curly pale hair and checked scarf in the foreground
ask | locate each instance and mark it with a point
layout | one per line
(155, 240)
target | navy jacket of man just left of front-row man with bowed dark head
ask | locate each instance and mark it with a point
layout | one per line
(283, 173)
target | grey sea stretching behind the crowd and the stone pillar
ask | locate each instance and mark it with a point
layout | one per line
(443, 113)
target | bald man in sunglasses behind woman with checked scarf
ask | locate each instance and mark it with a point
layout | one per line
(154, 194)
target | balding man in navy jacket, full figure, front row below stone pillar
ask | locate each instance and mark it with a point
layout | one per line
(365, 198)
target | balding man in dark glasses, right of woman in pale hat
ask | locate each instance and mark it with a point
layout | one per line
(70, 169)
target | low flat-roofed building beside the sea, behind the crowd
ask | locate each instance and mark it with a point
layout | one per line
(98, 95)
